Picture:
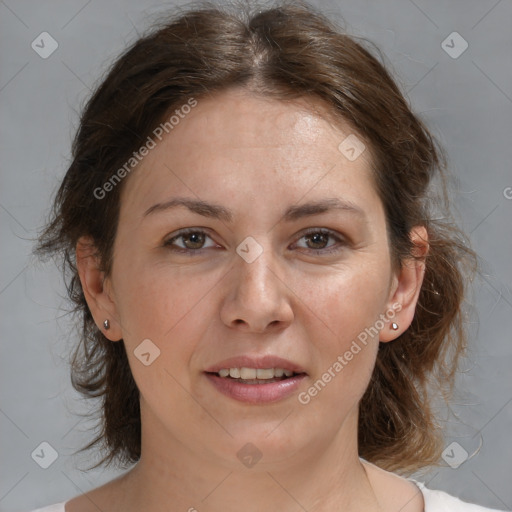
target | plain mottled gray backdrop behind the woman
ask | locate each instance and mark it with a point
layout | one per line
(467, 102)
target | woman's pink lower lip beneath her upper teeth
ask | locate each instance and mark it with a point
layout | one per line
(256, 393)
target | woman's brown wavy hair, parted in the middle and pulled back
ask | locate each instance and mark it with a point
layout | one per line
(287, 51)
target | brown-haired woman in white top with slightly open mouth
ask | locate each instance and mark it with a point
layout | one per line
(266, 295)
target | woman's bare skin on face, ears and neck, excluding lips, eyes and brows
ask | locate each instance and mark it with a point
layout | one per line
(255, 156)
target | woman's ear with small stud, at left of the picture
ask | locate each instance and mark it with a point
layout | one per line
(97, 289)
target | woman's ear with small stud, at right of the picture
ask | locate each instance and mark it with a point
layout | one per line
(406, 287)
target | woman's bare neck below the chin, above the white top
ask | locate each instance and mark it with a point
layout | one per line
(322, 476)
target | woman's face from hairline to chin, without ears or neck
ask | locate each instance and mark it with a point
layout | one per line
(252, 281)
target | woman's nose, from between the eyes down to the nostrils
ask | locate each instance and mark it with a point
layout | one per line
(257, 298)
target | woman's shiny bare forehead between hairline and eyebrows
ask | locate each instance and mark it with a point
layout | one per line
(235, 142)
